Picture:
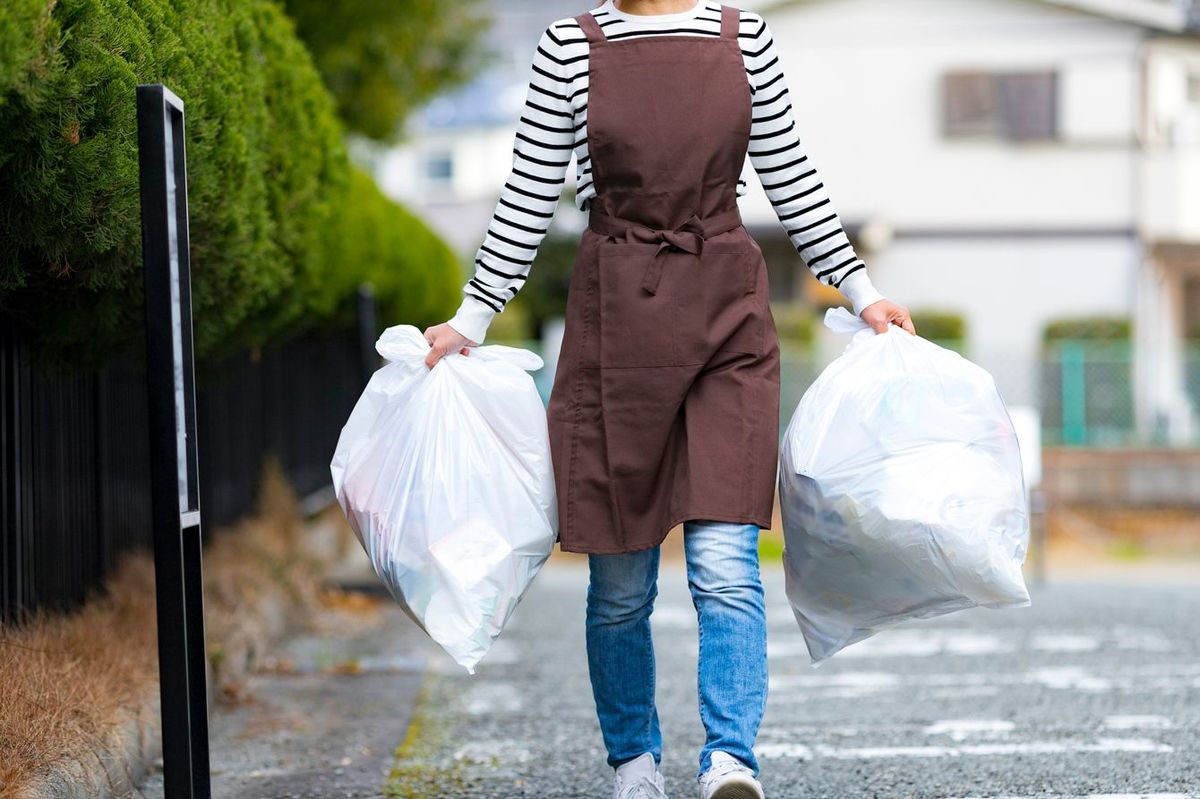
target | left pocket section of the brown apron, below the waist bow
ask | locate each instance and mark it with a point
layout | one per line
(635, 326)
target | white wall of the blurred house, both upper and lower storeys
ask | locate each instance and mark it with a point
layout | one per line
(1046, 230)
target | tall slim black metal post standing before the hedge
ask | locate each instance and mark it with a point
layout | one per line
(173, 460)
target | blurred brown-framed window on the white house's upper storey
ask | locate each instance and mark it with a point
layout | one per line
(1015, 106)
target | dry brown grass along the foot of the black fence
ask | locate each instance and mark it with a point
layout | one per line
(71, 687)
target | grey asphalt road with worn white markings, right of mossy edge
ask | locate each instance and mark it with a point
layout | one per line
(1095, 690)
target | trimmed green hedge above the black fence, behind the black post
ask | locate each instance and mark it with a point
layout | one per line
(281, 226)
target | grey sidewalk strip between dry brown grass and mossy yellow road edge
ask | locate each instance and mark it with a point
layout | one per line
(327, 720)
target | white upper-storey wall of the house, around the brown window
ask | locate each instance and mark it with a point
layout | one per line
(866, 81)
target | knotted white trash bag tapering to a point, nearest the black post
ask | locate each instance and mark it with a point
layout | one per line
(446, 478)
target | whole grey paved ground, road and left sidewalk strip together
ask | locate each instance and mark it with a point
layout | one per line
(1094, 692)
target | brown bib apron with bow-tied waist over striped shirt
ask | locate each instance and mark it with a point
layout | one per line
(665, 402)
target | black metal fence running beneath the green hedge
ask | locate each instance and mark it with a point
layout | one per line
(75, 489)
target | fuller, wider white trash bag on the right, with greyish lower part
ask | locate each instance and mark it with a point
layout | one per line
(901, 489)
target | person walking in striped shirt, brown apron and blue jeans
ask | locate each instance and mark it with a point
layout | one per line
(665, 402)
